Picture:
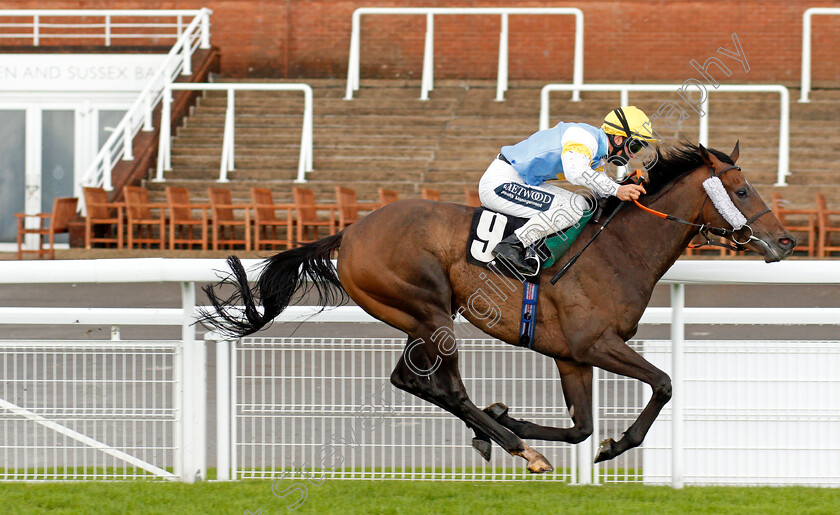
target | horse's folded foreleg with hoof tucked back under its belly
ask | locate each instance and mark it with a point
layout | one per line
(576, 379)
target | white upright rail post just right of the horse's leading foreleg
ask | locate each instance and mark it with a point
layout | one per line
(677, 344)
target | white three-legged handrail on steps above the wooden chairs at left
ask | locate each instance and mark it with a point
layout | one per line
(227, 161)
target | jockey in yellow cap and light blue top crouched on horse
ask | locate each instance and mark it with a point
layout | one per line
(514, 183)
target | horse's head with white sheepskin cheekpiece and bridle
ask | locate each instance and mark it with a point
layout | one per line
(738, 208)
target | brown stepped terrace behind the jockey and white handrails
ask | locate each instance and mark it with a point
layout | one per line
(386, 137)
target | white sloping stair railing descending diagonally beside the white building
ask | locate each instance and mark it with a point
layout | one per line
(139, 115)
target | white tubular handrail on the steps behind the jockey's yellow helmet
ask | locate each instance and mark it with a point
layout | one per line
(783, 169)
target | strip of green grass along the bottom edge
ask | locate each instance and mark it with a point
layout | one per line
(339, 496)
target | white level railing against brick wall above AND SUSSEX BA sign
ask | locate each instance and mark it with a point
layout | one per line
(112, 24)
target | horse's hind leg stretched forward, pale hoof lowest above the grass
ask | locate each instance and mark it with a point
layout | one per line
(428, 369)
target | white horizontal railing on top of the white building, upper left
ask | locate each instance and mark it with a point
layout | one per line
(108, 15)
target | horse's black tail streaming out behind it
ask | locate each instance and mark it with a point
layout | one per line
(283, 274)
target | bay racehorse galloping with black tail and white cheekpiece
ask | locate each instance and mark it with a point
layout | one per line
(405, 264)
